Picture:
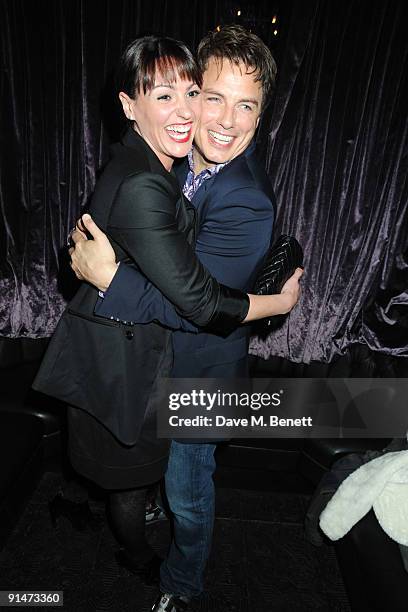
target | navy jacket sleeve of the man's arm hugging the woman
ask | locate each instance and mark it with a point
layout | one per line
(231, 244)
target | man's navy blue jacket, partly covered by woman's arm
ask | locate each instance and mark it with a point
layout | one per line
(234, 221)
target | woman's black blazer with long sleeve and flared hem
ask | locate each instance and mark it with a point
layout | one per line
(110, 369)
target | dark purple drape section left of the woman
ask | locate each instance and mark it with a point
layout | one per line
(49, 154)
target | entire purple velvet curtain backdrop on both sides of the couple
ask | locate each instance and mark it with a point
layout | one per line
(335, 143)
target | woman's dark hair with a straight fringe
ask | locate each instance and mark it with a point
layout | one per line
(146, 56)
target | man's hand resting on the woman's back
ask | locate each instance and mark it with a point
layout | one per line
(92, 260)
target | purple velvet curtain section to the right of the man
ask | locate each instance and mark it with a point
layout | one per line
(337, 155)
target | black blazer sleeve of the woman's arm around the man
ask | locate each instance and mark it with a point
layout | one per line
(143, 222)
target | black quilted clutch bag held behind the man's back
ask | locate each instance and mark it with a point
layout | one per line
(281, 261)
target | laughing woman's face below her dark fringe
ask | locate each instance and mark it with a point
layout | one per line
(166, 116)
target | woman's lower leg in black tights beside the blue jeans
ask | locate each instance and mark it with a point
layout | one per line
(126, 511)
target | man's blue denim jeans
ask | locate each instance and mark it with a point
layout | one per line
(190, 492)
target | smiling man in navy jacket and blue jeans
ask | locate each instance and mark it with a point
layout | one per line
(234, 205)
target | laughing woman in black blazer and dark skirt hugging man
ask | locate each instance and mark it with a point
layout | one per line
(138, 203)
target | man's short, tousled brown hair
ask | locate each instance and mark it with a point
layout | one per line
(238, 45)
